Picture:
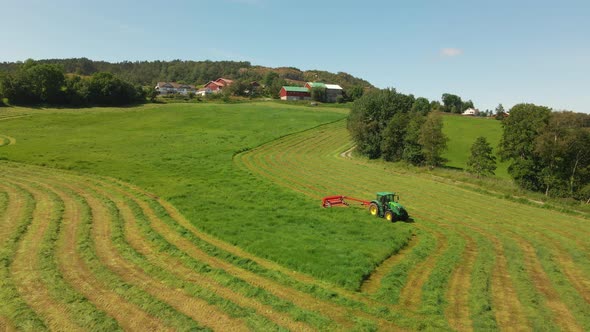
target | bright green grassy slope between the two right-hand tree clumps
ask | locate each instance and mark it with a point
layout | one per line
(462, 132)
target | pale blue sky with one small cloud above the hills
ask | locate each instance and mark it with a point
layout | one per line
(488, 51)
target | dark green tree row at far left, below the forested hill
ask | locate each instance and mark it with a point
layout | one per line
(40, 83)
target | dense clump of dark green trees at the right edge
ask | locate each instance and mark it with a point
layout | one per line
(549, 151)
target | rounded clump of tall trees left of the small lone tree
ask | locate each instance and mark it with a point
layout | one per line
(394, 126)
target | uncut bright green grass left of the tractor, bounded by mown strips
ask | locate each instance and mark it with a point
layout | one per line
(183, 153)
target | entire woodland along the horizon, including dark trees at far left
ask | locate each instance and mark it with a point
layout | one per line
(81, 82)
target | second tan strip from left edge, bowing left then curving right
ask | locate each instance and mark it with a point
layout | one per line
(25, 267)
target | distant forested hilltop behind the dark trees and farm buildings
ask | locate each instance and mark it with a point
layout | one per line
(191, 72)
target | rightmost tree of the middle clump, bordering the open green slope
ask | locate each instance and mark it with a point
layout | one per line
(433, 140)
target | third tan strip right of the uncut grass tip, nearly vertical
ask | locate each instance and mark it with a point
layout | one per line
(459, 286)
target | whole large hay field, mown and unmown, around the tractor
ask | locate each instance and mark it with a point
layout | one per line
(184, 217)
